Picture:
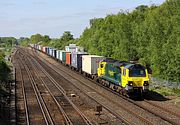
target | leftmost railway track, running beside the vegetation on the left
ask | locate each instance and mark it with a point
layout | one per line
(34, 110)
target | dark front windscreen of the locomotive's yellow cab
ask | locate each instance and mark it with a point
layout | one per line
(137, 73)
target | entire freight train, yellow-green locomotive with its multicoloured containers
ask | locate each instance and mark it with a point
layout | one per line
(130, 79)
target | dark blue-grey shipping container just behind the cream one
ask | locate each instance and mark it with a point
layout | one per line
(76, 59)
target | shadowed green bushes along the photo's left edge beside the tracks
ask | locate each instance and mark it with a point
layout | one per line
(6, 44)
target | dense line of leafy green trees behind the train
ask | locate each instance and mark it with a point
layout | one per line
(150, 35)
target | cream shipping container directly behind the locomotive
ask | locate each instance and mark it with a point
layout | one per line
(90, 63)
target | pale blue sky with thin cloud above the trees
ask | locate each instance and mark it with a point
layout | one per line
(23, 18)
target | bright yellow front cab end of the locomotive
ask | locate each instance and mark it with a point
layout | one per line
(135, 78)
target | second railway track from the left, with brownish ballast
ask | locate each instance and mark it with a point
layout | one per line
(69, 118)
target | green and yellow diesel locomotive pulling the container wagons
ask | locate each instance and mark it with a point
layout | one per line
(124, 77)
